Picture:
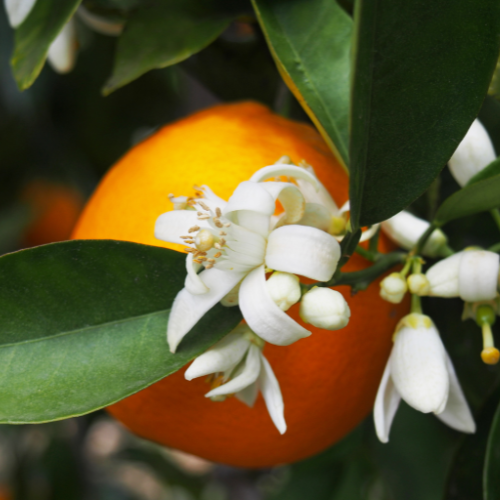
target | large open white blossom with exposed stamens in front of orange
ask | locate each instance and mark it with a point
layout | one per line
(248, 240)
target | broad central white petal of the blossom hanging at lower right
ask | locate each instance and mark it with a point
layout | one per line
(418, 368)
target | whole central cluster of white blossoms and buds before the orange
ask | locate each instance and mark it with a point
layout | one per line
(243, 252)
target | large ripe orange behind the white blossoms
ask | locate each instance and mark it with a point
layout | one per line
(328, 380)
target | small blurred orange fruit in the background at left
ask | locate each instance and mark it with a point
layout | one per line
(55, 210)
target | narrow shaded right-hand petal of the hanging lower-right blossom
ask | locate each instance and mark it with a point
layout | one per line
(456, 414)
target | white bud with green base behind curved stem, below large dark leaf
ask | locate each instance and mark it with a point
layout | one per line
(405, 229)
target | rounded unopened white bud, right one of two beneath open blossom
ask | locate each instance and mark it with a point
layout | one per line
(325, 308)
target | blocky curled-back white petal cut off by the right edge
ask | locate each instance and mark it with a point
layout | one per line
(478, 275)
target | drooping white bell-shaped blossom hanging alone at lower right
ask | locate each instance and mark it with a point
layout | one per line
(420, 371)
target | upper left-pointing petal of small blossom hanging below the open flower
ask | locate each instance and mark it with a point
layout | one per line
(224, 355)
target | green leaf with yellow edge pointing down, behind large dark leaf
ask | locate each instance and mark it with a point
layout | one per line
(310, 42)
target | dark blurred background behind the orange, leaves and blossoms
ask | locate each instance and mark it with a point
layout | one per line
(57, 140)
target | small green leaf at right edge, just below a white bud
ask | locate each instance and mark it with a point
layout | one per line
(473, 198)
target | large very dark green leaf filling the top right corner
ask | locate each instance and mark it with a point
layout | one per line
(421, 71)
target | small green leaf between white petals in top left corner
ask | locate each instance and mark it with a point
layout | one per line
(34, 36)
